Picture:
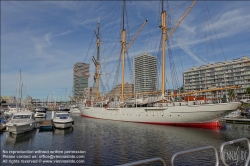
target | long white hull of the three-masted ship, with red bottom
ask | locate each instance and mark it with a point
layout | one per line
(204, 115)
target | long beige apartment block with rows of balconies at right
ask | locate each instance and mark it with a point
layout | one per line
(221, 74)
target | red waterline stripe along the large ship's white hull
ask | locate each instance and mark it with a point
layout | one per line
(209, 125)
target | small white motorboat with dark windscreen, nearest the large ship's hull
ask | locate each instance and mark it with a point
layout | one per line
(62, 120)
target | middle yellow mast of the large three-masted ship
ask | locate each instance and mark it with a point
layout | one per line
(123, 43)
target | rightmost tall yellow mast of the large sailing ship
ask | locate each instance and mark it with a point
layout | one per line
(164, 30)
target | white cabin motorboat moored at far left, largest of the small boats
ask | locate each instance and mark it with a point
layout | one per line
(21, 122)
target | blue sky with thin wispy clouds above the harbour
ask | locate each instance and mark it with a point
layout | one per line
(45, 39)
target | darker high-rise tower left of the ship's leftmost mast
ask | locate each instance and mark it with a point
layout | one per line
(80, 80)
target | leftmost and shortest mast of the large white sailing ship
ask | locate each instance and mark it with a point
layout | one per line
(97, 62)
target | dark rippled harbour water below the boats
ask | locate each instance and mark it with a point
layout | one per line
(104, 142)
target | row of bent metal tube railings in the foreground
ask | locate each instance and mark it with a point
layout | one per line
(146, 161)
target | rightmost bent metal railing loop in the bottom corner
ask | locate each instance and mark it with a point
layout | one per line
(232, 142)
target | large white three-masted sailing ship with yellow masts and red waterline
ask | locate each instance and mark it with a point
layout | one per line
(161, 111)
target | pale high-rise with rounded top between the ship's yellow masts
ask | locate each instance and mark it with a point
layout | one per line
(145, 73)
